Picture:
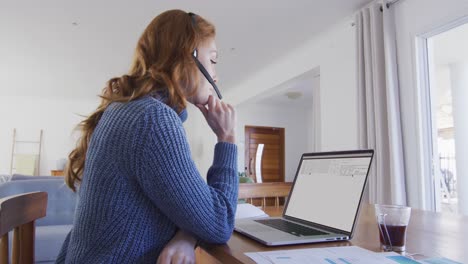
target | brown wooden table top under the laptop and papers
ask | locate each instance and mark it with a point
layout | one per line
(430, 234)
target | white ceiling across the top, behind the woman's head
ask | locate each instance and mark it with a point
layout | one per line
(71, 48)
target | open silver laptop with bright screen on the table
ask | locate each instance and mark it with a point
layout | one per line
(323, 204)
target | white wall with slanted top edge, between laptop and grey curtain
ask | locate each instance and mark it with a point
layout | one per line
(334, 52)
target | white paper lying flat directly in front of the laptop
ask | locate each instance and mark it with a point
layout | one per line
(328, 255)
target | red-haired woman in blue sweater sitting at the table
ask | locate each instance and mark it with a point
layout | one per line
(140, 194)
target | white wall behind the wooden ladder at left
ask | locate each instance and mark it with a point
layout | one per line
(56, 116)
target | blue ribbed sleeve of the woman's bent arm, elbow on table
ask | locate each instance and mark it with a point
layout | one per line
(169, 177)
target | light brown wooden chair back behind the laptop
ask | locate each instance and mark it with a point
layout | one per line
(264, 190)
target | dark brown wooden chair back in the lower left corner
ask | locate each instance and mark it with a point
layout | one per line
(19, 212)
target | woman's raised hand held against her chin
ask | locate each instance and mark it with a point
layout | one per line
(221, 117)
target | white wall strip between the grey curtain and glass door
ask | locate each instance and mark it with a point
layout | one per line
(414, 18)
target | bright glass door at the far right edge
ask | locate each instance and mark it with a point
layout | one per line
(448, 70)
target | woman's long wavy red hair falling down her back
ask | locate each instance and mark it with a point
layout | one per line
(162, 63)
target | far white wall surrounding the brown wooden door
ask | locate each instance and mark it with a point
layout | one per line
(294, 120)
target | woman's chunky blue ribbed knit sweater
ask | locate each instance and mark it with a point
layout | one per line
(140, 185)
